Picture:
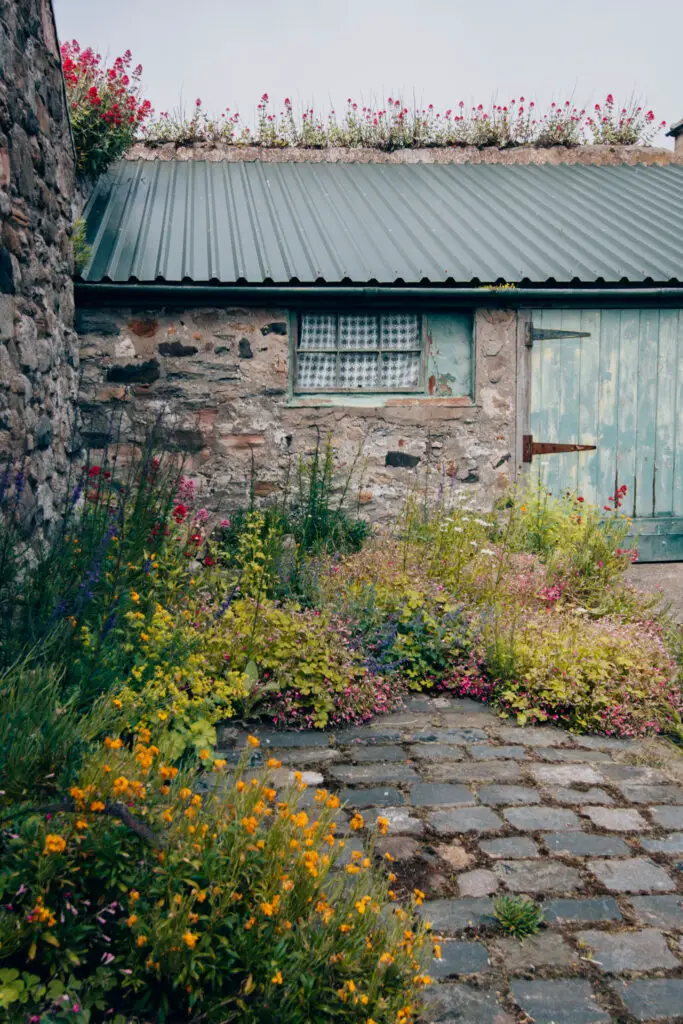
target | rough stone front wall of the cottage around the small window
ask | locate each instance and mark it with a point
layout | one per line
(218, 381)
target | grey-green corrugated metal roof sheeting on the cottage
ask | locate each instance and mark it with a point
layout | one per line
(357, 224)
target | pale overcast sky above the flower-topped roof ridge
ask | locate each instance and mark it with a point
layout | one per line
(320, 53)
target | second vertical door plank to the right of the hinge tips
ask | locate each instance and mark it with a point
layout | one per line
(628, 409)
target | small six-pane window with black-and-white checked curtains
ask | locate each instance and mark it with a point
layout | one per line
(360, 353)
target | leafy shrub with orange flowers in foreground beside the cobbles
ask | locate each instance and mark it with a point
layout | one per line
(143, 897)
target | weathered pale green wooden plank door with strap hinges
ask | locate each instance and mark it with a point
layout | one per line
(615, 380)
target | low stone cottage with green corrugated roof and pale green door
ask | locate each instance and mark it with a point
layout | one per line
(452, 315)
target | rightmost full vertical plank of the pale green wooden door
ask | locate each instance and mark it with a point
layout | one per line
(666, 425)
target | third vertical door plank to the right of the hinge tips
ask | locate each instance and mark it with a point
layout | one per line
(648, 398)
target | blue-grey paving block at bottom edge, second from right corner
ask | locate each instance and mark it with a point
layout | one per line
(566, 1002)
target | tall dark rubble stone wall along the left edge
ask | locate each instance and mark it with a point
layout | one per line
(38, 347)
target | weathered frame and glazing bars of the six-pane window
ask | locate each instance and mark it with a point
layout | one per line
(418, 390)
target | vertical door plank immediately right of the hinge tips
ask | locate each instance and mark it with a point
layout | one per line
(611, 324)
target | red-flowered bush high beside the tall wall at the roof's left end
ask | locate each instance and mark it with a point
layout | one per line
(105, 106)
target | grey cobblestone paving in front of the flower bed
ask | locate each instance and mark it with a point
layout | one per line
(478, 808)
